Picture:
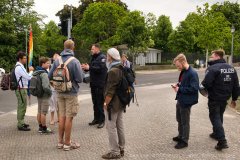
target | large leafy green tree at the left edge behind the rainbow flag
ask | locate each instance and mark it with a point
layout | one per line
(15, 17)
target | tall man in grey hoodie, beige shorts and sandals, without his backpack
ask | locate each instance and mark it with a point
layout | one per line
(68, 101)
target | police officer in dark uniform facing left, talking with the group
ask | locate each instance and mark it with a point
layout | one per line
(98, 72)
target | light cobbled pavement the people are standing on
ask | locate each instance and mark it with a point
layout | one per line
(149, 129)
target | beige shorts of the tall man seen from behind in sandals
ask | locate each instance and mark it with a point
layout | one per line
(67, 105)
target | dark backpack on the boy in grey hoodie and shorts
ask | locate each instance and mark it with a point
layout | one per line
(35, 87)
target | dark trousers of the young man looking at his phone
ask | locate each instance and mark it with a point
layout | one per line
(183, 119)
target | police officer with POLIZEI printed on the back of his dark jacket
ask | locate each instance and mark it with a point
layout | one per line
(221, 82)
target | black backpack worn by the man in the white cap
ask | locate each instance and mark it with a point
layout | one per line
(125, 90)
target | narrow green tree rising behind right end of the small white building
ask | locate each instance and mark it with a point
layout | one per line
(161, 32)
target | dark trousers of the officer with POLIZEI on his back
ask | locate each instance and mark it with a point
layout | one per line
(216, 110)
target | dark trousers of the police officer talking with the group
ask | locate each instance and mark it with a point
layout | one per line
(98, 100)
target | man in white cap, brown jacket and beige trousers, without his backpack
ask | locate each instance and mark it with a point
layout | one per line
(113, 107)
